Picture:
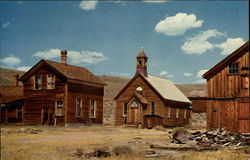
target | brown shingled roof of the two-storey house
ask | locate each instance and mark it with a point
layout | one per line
(69, 71)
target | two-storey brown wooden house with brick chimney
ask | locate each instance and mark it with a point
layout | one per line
(59, 93)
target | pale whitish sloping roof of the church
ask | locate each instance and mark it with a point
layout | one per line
(167, 89)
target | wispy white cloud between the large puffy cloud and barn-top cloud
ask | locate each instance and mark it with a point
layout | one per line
(199, 43)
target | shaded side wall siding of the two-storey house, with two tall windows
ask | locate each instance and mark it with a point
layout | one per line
(86, 93)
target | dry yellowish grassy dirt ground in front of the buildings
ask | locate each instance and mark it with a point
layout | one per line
(63, 143)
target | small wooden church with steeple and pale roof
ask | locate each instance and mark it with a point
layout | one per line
(148, 100)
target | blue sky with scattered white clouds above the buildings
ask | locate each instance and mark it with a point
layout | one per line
(183, 39)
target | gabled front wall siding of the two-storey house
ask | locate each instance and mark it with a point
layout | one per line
(35, 100)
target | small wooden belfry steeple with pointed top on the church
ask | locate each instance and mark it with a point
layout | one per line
(141, 63)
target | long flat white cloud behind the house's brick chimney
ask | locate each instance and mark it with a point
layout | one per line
(77, 57)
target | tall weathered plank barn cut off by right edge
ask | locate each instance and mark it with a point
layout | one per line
(228, 104)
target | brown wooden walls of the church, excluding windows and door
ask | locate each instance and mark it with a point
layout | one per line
(161, 107)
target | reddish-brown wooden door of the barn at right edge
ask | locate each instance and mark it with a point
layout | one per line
(244, 116)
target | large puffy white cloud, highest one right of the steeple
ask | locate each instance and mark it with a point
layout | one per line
(178, 24)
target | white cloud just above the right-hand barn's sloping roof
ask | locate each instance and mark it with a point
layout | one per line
(230, 45)
